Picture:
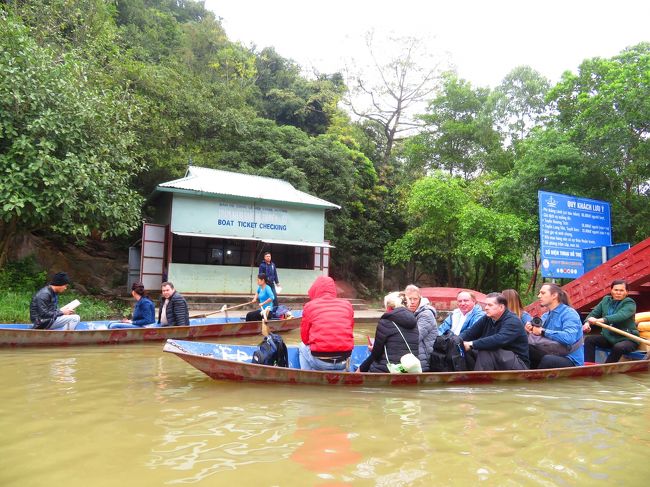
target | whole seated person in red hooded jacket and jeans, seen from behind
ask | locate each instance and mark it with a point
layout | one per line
(326, 328)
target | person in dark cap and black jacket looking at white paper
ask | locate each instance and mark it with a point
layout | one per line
(44, 311)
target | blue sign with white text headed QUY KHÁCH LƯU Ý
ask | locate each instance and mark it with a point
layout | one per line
(568, 224)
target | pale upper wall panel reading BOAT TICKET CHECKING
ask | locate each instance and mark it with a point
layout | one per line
(215, 216)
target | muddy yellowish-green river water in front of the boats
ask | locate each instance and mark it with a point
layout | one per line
(131, 415)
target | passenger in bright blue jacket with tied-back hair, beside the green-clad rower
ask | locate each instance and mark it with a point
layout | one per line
(557, 341)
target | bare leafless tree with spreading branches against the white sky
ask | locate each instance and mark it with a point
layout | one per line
(390, 92)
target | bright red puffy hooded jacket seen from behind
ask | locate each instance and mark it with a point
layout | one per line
(327, 321)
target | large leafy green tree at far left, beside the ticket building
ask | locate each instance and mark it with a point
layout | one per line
(65, 144)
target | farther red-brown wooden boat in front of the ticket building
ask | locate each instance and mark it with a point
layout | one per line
(99, 333)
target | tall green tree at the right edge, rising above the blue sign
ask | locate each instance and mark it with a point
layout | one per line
(605, 109)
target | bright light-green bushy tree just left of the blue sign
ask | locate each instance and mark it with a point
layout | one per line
(480, 247)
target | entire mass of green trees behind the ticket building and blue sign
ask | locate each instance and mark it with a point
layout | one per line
(100, 101)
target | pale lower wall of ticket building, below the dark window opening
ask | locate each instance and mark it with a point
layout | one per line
(194, 278)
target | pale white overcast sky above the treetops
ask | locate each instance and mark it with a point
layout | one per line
(484, 40)
